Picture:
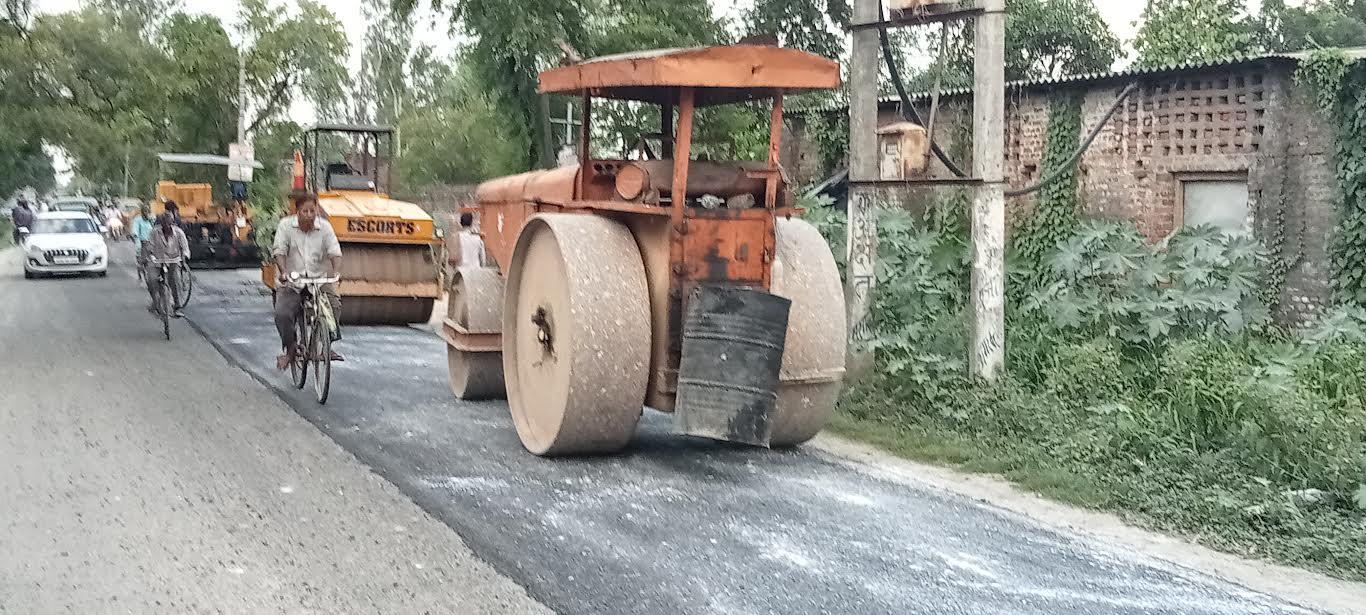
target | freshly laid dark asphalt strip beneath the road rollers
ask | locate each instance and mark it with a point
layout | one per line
(680, 525)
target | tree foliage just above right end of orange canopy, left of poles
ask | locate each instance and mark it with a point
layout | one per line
(811, 25)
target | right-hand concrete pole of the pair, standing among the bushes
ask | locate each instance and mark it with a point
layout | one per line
(988, 329)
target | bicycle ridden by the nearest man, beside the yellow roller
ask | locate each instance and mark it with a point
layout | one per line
(313, 337)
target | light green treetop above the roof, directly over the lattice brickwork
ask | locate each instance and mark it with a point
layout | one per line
(1189, 31)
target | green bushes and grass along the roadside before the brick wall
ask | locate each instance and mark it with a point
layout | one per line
(1145, 381)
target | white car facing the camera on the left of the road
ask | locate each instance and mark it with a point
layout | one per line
(65, 243)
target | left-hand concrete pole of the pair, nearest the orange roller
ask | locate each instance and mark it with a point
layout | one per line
(863, 206)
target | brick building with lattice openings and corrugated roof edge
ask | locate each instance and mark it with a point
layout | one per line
(1233, 143)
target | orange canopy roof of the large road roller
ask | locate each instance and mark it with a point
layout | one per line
(722, 74)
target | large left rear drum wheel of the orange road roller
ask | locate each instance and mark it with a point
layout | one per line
(576, 336)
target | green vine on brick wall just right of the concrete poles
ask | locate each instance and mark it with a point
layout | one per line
(1055, 217)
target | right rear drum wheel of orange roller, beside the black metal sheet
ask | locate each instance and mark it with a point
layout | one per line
(813, 361)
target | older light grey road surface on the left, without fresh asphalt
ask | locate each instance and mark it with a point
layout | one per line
(150, 478)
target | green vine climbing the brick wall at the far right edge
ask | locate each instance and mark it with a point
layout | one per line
(1338, 87)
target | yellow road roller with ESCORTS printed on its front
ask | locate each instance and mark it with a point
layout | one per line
(391, 270)
